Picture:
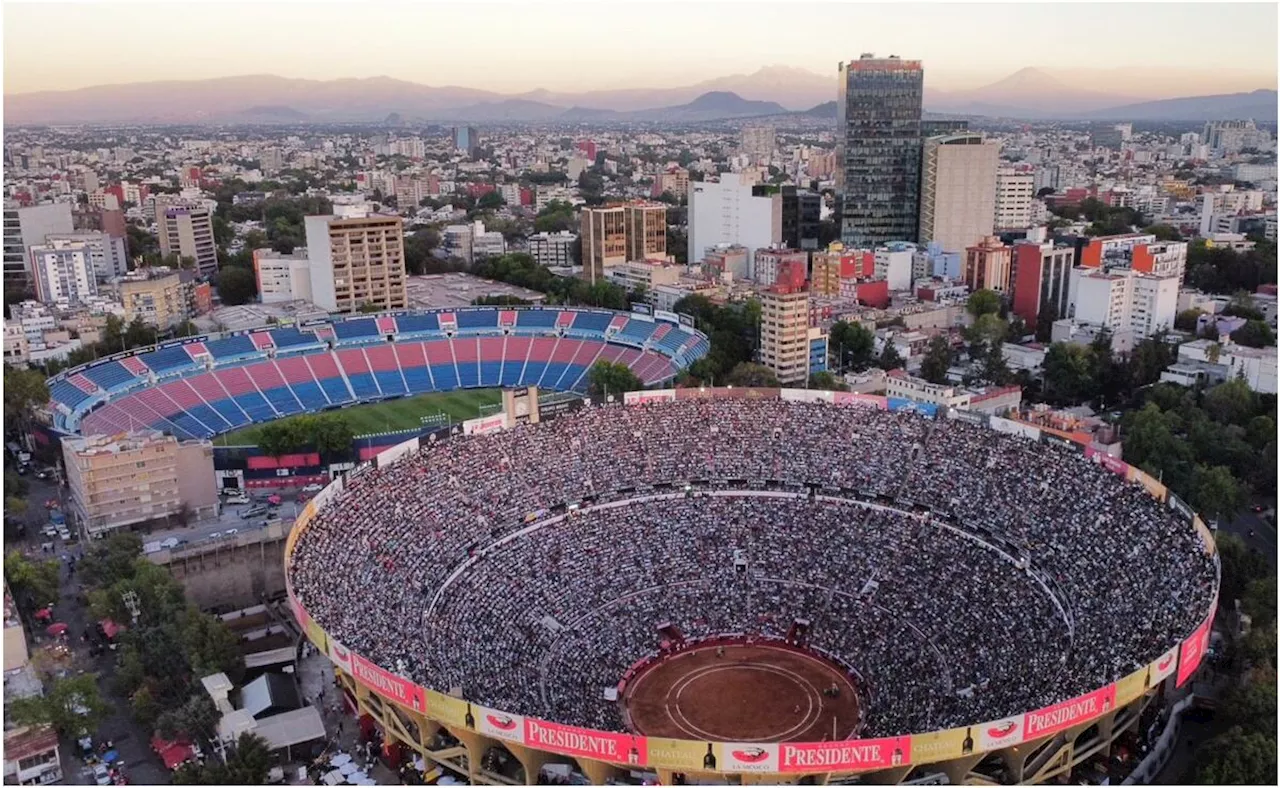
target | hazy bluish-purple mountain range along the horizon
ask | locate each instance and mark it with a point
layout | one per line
(1030, 94)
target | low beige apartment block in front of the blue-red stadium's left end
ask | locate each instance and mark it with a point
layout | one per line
(126, 480)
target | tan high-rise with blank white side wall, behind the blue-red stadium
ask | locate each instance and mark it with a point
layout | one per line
(355, 262)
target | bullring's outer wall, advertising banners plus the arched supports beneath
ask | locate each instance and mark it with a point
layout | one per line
(1037, 746)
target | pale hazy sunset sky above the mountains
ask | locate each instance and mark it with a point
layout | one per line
(605, 44)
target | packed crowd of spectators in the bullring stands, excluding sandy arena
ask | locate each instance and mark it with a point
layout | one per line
(966, 575)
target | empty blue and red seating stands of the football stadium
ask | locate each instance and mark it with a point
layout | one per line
(199, 388)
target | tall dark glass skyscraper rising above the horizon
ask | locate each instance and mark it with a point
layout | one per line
(879, 145)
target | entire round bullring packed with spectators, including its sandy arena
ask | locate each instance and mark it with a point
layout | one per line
(748, 585)
